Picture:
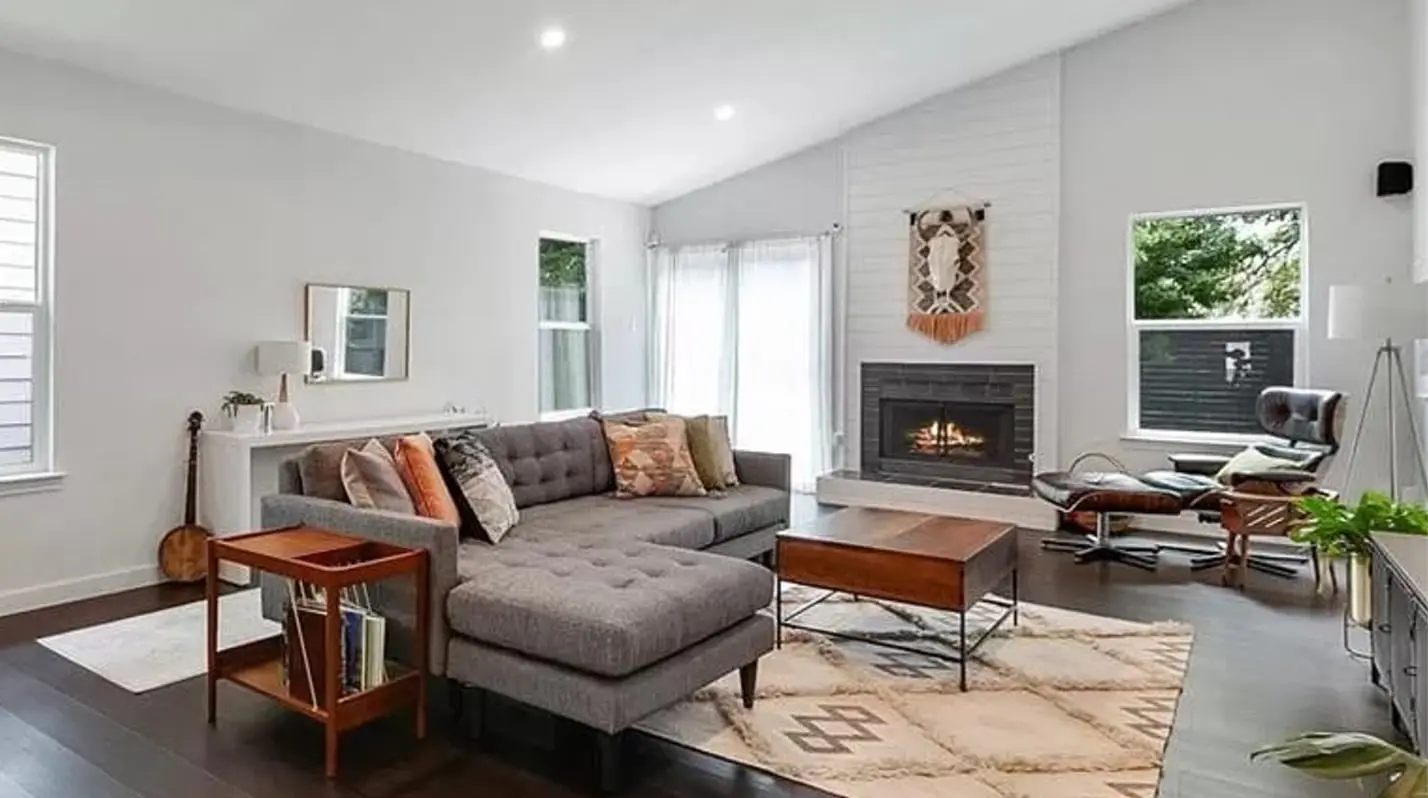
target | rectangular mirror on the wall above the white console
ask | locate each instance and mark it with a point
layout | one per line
(359, 335)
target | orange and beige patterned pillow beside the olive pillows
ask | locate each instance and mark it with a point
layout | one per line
(653, 459)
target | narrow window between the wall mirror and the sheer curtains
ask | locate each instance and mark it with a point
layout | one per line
(568, 355)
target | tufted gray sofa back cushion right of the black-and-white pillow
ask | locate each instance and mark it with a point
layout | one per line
(552, 462)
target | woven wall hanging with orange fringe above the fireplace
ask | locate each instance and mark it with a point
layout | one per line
(947, 273)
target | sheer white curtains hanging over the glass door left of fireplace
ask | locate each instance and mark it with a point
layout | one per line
(746, 330)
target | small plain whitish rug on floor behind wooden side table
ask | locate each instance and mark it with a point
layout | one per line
(161, 649)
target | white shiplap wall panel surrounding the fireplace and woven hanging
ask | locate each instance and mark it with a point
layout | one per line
(995, 142)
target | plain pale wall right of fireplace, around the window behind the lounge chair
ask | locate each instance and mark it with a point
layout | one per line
(1229, 103)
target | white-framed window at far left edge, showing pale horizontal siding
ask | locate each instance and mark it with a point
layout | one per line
(25, 281)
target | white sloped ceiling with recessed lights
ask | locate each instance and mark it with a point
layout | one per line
(625, 111)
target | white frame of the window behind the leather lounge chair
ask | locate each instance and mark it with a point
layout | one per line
(1135, 328)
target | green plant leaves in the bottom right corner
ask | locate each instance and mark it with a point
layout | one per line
(1350, 756)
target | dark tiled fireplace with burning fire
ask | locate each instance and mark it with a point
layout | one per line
(955, 426)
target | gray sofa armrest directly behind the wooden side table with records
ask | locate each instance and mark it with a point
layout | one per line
(392, 597)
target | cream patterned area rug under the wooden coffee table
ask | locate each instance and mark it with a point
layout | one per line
(1065, 706)
